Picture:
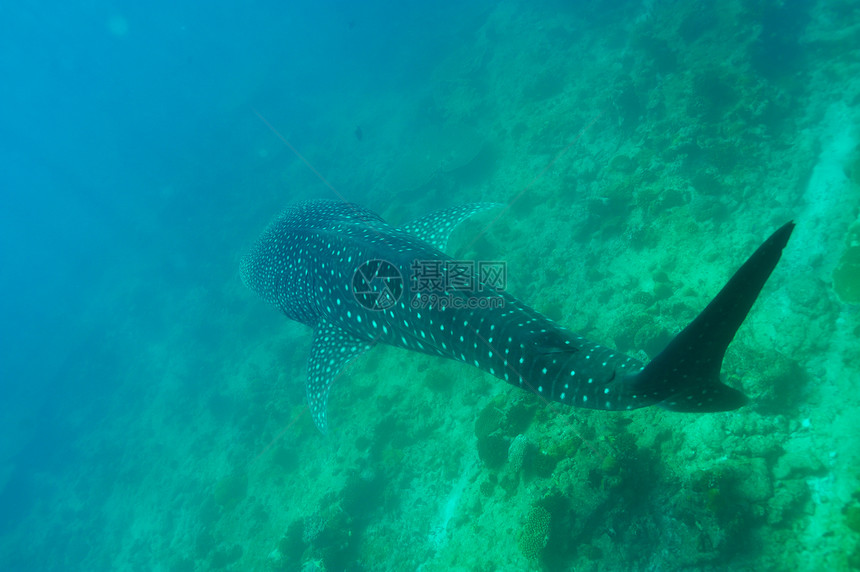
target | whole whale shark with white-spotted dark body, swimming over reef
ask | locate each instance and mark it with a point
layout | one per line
(359, 281)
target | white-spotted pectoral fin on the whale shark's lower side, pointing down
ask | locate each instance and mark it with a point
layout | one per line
(332, 348)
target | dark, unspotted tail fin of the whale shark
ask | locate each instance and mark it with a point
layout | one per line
(686, 375)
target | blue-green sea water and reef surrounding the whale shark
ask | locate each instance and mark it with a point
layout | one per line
(153, 413)
